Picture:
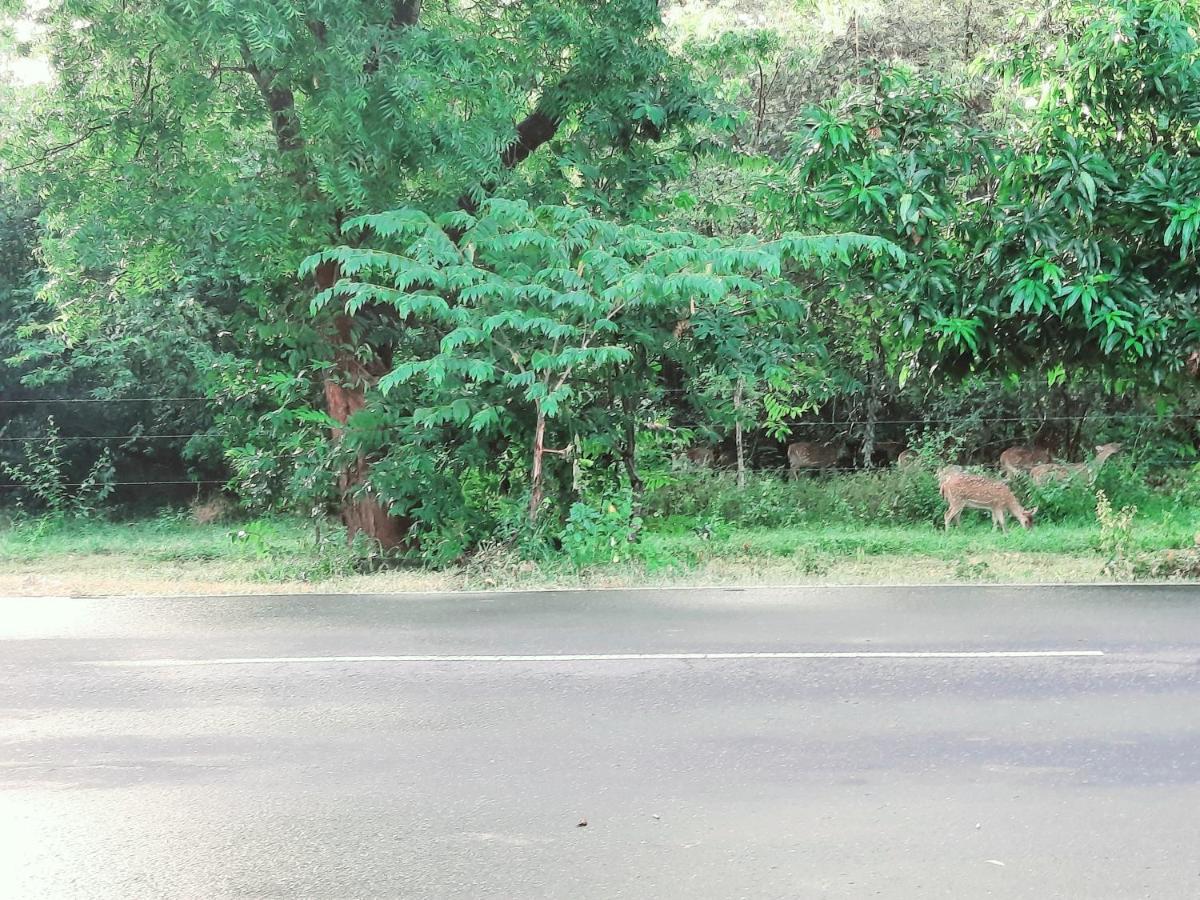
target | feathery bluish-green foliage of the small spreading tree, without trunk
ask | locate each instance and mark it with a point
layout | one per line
(555, 303)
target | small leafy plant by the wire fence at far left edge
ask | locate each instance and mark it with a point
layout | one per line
(46, 476)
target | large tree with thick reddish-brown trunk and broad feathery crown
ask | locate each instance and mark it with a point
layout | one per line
(225, 141)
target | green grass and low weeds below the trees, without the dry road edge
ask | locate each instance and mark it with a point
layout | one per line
(808, 527)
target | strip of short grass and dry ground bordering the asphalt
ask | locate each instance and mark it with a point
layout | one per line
(172, 555)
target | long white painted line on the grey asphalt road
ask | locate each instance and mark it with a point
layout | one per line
(601, 657)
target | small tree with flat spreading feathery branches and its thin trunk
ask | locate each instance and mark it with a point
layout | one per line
(520, 322)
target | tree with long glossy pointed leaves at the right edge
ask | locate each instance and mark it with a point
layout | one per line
(1089, 255)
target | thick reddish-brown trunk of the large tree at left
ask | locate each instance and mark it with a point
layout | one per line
(346, 395)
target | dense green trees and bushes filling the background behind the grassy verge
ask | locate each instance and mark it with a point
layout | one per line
(469, 274)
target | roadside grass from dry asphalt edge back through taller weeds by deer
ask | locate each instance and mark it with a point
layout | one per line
(872, 527)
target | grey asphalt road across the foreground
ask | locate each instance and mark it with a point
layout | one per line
(452, 747)
